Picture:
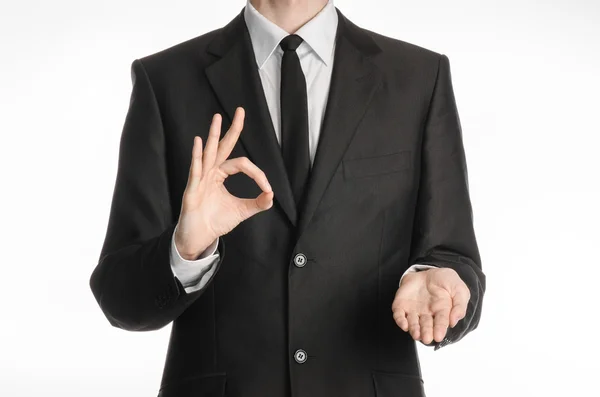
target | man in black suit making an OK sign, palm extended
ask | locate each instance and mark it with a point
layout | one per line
(305, 255)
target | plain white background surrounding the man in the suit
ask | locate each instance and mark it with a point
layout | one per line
(527, 83)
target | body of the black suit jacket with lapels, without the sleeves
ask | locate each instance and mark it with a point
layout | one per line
(240, 337)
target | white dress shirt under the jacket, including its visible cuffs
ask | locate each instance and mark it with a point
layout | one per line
(316, 59)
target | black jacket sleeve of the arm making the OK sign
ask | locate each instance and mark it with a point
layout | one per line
(133, 282)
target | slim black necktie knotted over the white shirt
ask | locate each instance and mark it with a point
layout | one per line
(294, 118)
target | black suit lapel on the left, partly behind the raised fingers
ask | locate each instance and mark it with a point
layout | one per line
(236, 82)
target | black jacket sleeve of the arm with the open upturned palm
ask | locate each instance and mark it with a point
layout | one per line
(443, 233)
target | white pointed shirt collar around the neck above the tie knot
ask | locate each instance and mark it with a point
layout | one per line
(319, 33)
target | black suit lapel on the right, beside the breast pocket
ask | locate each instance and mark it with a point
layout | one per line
(354, 80)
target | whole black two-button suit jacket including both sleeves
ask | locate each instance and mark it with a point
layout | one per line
(388, 189)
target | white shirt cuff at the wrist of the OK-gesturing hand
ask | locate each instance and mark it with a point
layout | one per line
(193, 274)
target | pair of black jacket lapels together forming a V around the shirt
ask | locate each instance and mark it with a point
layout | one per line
(236, 82)
